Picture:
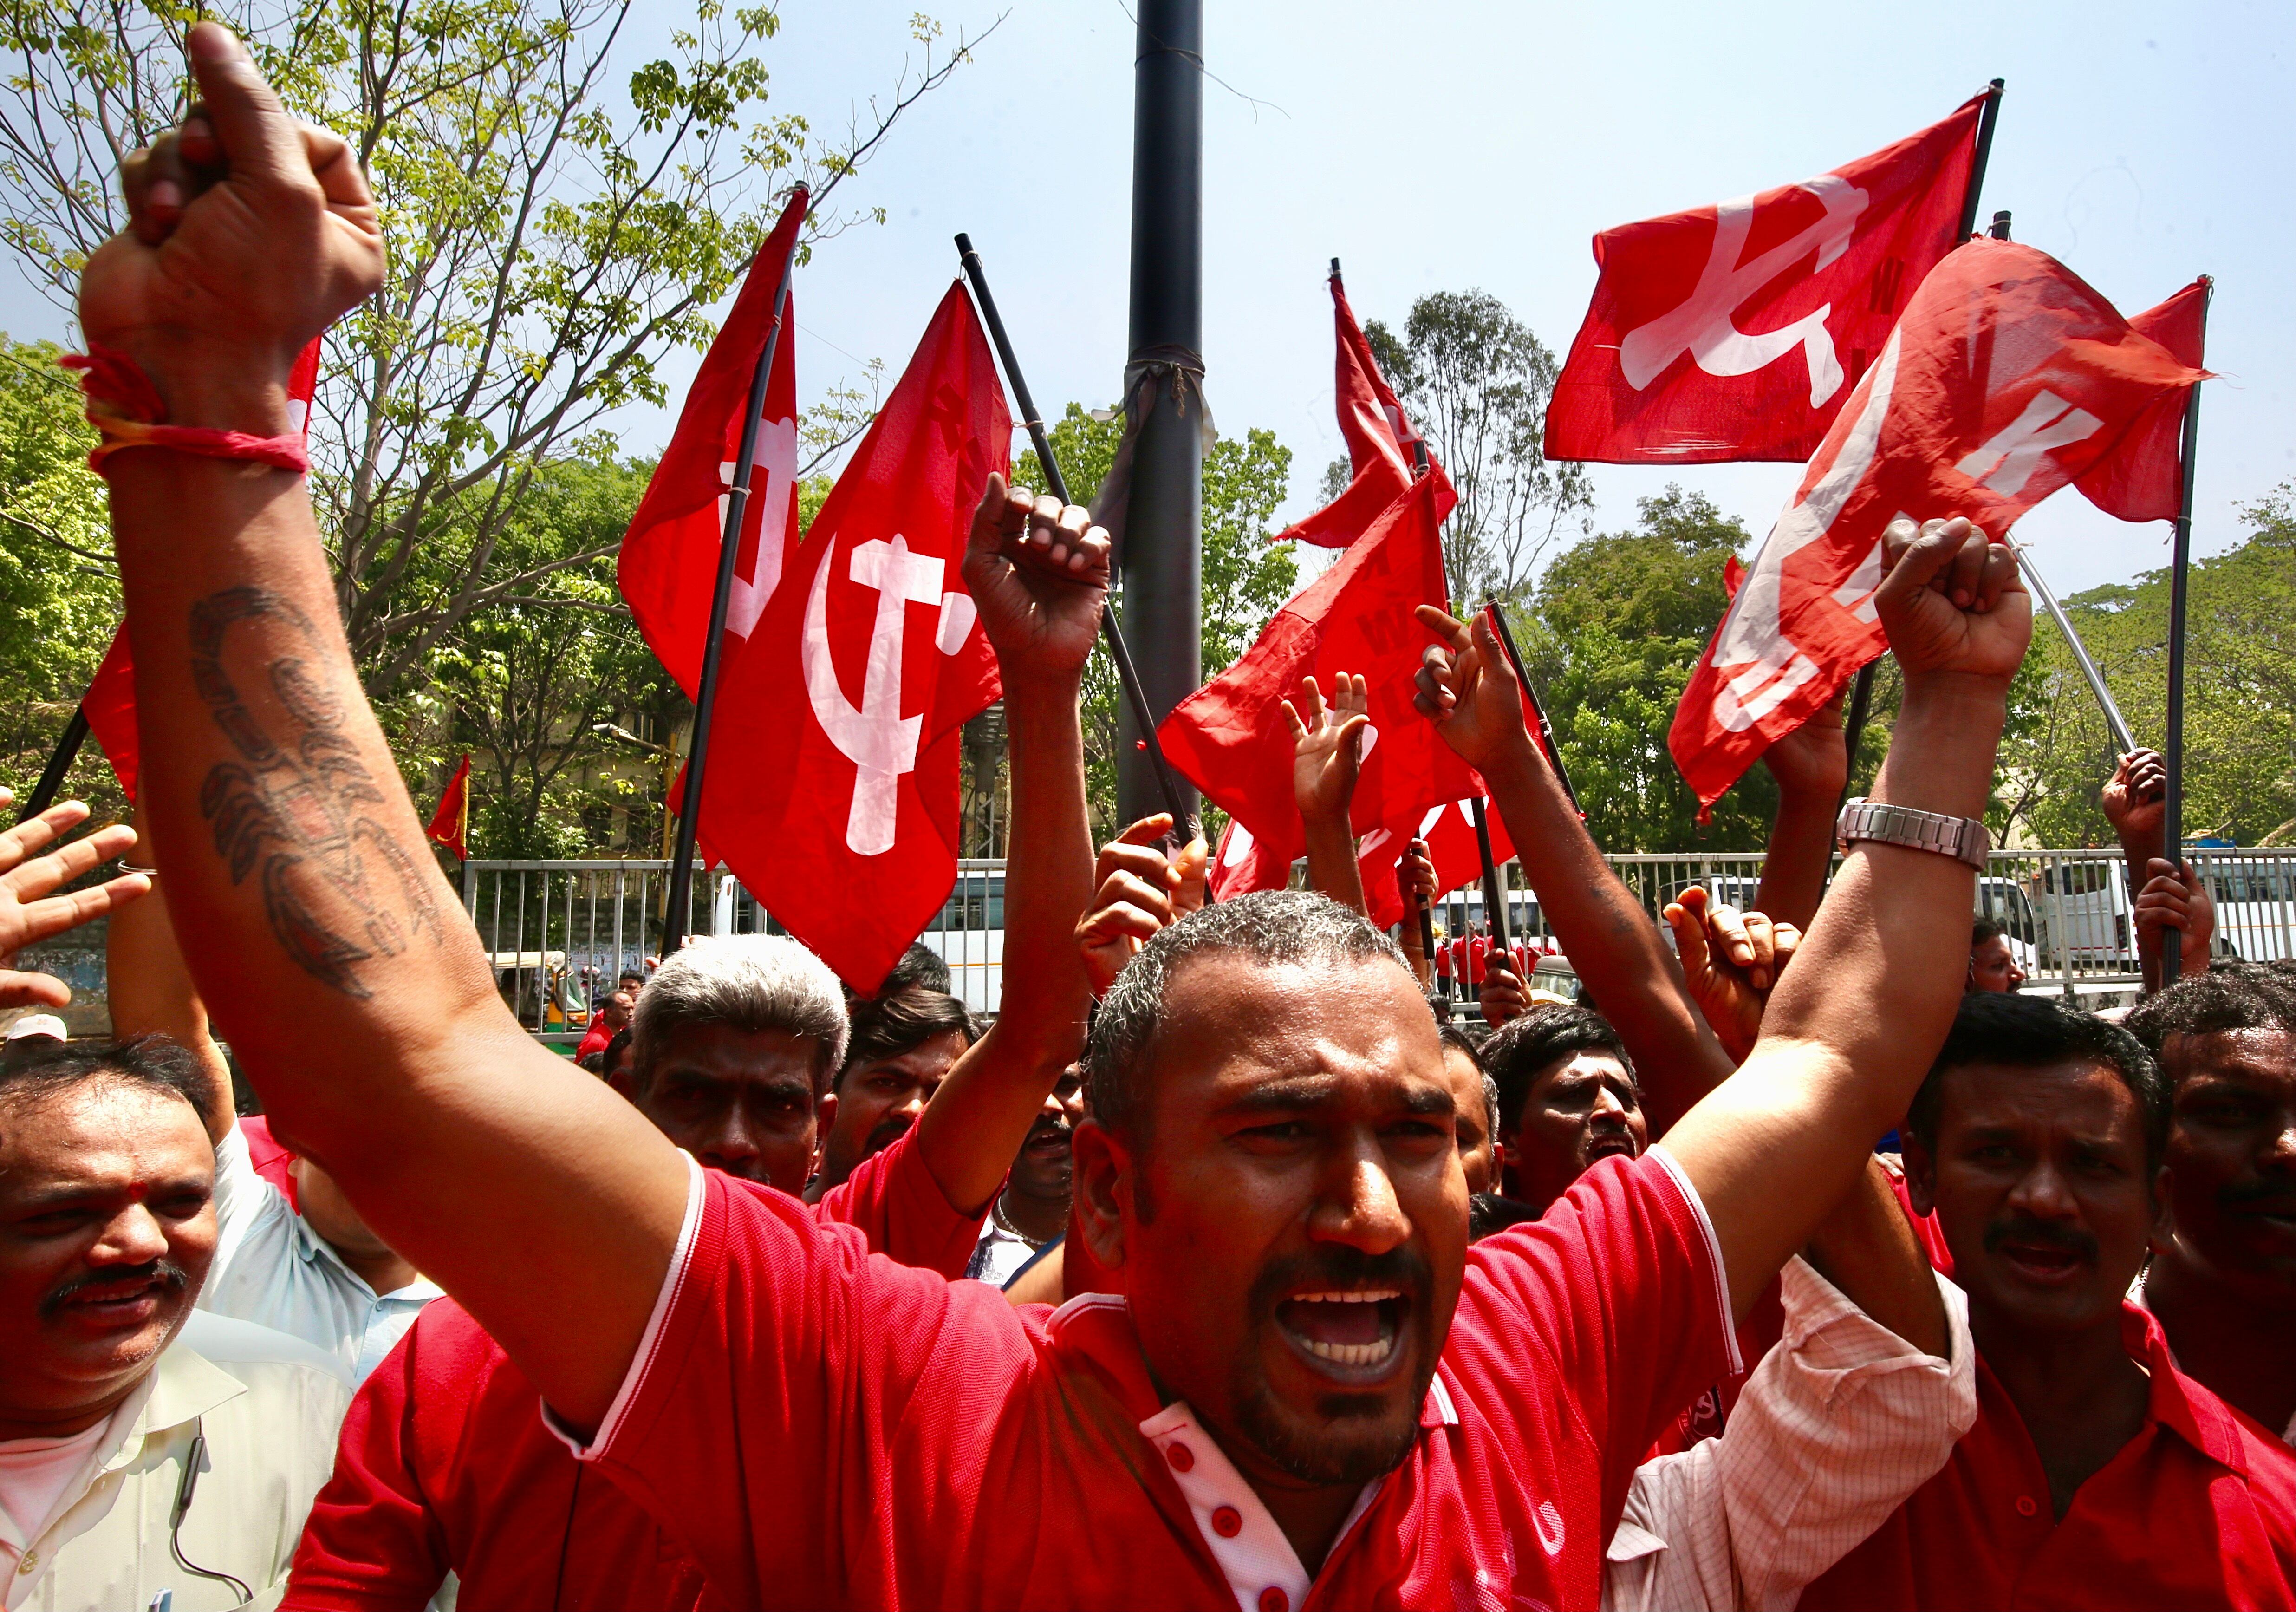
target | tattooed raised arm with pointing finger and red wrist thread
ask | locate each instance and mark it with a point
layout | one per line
(279, 819)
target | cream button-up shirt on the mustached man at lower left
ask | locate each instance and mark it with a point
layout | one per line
(267, 1406)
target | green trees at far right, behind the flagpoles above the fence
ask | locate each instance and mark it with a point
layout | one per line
(2240, 727)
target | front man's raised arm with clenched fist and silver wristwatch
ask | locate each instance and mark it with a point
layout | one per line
(1856, 1021)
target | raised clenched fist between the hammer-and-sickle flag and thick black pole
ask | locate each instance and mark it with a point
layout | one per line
(1039, 573)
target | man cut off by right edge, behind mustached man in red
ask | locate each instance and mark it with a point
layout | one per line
(2224, 1282)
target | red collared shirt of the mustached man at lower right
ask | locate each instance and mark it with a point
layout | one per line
(2196, 1512)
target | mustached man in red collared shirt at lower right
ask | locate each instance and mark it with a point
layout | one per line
(2097, 1473)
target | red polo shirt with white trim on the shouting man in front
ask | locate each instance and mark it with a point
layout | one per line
(837, 1432)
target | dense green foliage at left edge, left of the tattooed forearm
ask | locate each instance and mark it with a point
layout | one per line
(59, 589)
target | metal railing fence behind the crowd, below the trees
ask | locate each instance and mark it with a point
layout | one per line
(561, 931)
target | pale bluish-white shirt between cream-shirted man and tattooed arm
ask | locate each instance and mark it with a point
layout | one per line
(272, 1269)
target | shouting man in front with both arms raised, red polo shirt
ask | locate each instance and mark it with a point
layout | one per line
(1312, 1393)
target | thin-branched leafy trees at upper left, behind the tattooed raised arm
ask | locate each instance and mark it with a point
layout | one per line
(559, 222)
